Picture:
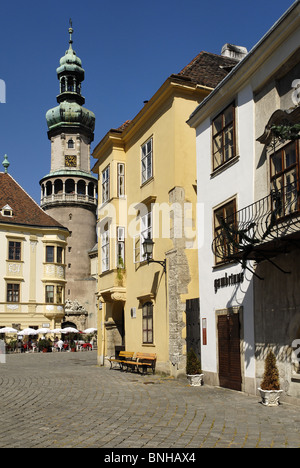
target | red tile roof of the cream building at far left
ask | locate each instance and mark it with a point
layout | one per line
(25, 210)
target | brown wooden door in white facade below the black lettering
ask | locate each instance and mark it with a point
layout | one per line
(230, 375)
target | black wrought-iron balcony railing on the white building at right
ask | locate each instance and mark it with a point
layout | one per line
(262, 230)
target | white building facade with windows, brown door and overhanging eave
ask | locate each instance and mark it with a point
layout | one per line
(231, 177)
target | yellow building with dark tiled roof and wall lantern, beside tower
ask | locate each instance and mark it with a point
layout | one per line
(147, 189)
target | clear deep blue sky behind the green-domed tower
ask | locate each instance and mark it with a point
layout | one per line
(128, 49)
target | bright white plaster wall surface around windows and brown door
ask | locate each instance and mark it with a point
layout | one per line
(236, 181)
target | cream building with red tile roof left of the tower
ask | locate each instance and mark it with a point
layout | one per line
(32, 261)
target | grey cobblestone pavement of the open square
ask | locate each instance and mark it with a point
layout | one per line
(64, 400)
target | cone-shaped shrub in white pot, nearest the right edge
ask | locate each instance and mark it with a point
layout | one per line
(270, 386)
